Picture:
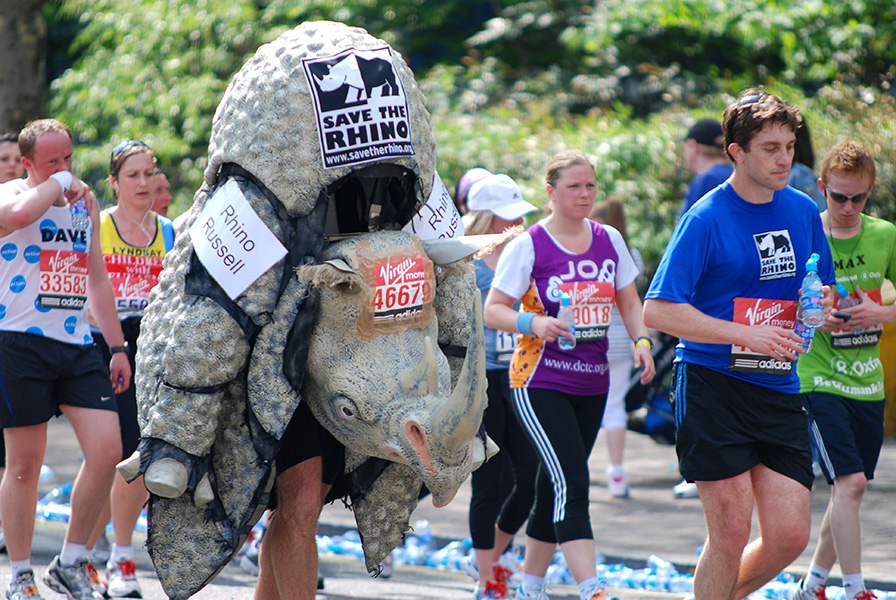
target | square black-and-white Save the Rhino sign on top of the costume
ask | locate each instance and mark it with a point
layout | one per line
(361, 107)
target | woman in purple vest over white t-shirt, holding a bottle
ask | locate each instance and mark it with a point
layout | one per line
(560, 395)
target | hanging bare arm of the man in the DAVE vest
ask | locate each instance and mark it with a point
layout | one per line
(102, 303)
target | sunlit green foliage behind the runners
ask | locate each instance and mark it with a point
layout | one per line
(508, 82)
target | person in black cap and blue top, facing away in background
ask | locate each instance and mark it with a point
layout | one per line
(704, 156)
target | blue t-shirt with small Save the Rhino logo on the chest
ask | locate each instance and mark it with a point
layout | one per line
(726, 248)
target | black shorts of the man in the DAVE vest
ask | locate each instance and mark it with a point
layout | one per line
(38, 375)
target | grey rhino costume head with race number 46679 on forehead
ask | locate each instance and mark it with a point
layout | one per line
(388, 393)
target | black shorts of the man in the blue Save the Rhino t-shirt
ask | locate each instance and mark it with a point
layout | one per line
(727, 426)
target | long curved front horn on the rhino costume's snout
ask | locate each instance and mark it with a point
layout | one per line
(461, 414)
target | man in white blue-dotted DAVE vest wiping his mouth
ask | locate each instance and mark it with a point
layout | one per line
(49, 364)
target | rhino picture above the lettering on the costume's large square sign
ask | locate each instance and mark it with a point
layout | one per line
(350, 80)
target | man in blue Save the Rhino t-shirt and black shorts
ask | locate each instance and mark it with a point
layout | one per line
(728, 286)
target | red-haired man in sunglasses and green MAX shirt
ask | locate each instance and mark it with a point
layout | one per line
(842, 376)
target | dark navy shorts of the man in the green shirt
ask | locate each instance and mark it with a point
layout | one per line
(846, 433)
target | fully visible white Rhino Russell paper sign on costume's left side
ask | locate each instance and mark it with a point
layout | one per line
(232, 242)
